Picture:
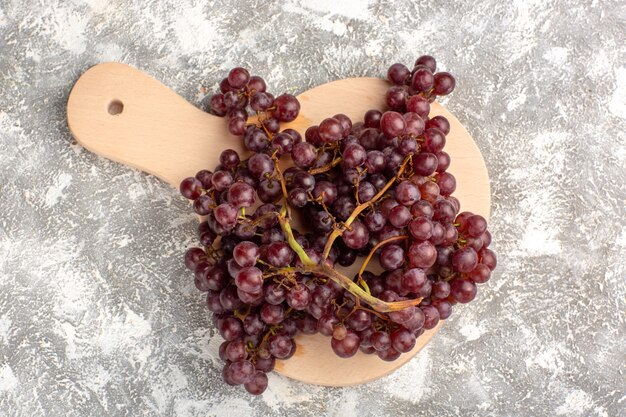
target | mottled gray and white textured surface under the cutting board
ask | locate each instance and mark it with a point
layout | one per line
(97, 314)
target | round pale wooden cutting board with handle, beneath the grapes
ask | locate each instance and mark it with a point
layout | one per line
(127, 116)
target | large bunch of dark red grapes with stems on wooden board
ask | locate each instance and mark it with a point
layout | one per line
(372, 189)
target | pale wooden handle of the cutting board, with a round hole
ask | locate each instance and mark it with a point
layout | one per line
(125, 115)
